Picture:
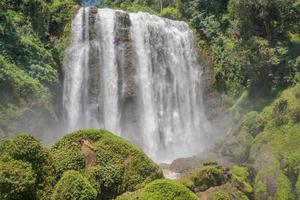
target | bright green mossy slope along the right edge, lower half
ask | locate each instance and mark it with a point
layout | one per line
(275, 151)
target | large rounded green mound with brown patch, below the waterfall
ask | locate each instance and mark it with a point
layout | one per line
(119, 166)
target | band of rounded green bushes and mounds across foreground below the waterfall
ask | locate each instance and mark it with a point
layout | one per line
(122, 171)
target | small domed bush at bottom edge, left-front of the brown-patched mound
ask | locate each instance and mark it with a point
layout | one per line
(73, 186)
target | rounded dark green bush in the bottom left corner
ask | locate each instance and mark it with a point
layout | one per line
(17, 180)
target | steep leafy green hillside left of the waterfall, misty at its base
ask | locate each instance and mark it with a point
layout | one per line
(30, 60)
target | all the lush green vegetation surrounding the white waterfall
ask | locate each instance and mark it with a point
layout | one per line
(251, 50)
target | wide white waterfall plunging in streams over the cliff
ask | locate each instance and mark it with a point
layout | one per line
(138, 76)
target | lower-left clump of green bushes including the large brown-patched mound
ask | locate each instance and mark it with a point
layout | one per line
(30, 171)
